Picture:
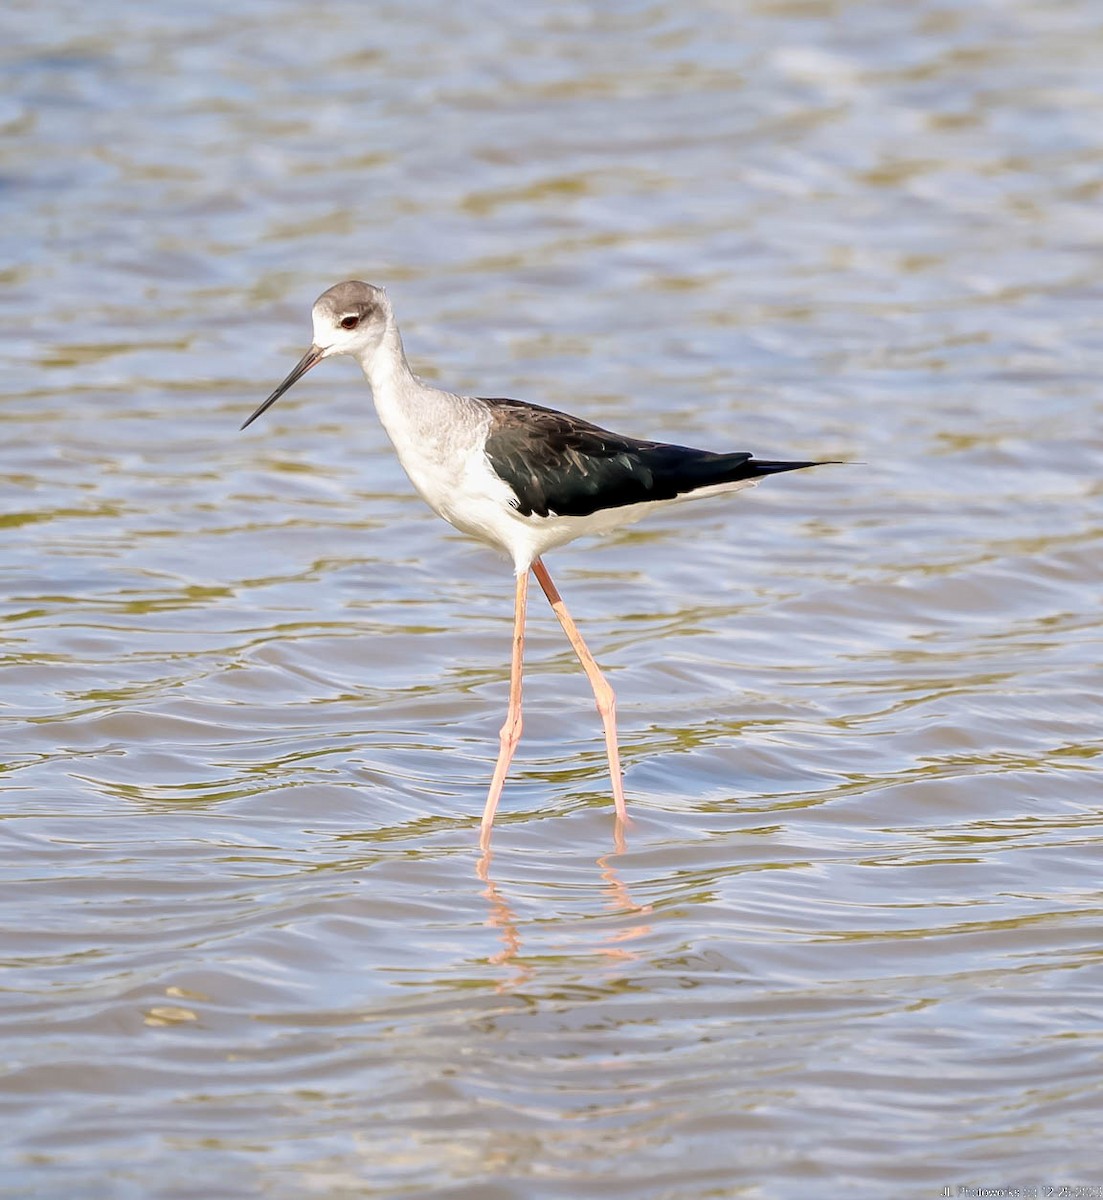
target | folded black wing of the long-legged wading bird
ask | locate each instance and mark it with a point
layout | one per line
(561, 465)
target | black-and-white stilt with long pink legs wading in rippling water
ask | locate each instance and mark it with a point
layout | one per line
(519, 477)
